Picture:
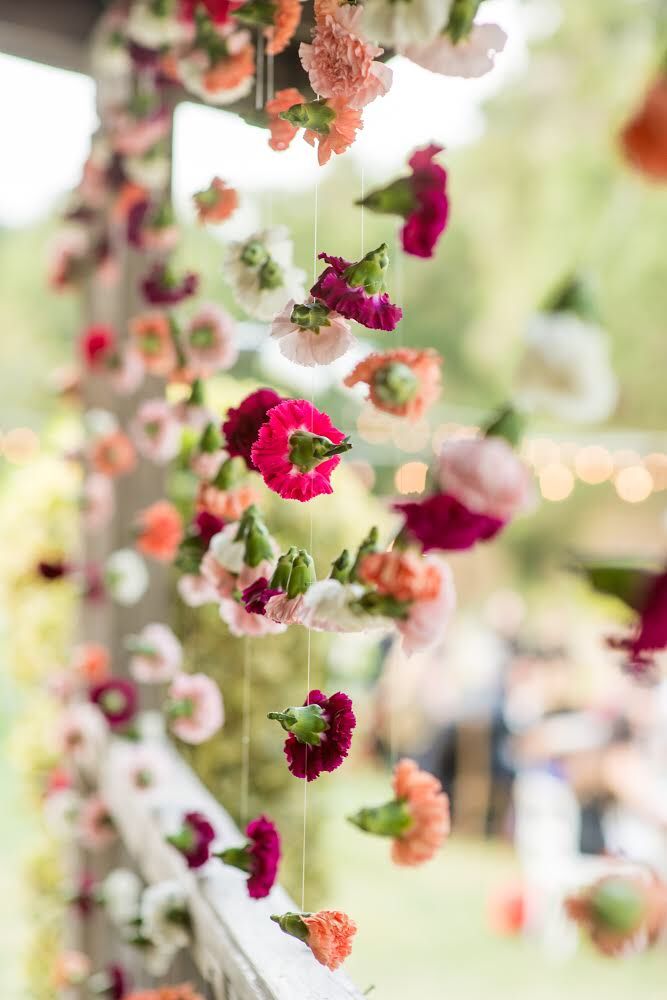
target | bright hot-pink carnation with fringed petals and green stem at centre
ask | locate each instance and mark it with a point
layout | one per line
(297, 449)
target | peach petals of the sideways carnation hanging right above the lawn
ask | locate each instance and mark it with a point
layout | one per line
(429, 809)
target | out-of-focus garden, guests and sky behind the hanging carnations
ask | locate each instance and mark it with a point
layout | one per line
(551, 755)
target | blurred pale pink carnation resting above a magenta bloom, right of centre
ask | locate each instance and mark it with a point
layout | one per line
(486, 475)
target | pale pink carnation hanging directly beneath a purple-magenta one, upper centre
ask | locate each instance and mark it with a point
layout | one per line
(311, 333)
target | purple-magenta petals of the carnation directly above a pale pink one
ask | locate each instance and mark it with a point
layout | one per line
(374, 311)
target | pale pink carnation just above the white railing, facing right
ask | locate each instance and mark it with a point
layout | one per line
(194, 709)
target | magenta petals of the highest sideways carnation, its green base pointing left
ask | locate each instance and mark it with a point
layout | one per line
(426, 222)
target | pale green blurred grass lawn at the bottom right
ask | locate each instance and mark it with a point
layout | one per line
(423, 933)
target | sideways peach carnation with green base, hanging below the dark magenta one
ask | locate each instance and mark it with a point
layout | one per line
(417, 819)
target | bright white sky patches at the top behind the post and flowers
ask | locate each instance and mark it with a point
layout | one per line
(46, 123)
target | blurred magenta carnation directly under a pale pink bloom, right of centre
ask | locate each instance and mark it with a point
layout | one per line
(441, 522)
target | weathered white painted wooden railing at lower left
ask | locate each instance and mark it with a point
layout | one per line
(238, 951)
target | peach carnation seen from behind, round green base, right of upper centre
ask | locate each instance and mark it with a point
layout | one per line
(404, 382)
